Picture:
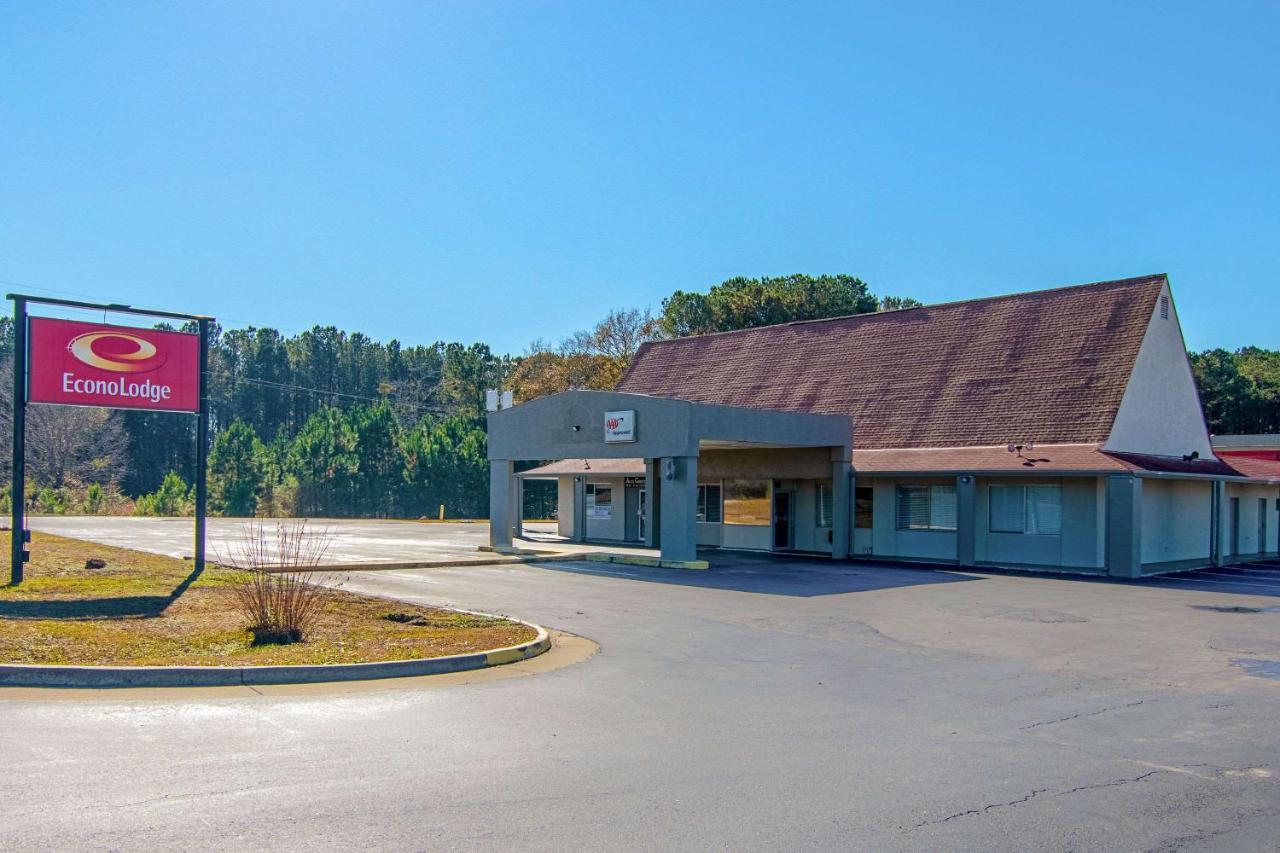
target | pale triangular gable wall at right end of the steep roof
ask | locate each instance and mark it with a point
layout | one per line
(1160, 413)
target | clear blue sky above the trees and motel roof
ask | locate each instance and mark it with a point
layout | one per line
(513, 171)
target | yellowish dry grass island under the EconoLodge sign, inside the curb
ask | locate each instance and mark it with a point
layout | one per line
(149, 610)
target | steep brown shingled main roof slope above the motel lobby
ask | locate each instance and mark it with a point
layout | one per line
(1049, 367)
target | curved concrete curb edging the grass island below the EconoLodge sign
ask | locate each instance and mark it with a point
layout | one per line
(130, 677)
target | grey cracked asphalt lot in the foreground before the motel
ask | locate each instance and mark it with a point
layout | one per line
(761, 705)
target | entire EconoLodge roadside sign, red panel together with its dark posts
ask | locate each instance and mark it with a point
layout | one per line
(120, 393)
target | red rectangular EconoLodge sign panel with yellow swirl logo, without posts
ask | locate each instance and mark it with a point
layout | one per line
(120, 367)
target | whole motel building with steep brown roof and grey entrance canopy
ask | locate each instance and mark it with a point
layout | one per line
(1053, 431)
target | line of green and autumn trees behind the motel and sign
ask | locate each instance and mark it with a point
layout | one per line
(330, 423)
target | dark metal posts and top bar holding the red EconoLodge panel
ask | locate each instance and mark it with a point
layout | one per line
(17, 521)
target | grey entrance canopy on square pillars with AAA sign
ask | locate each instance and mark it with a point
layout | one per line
(661, 437)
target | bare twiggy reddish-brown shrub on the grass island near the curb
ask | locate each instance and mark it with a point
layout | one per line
(280, 601)
